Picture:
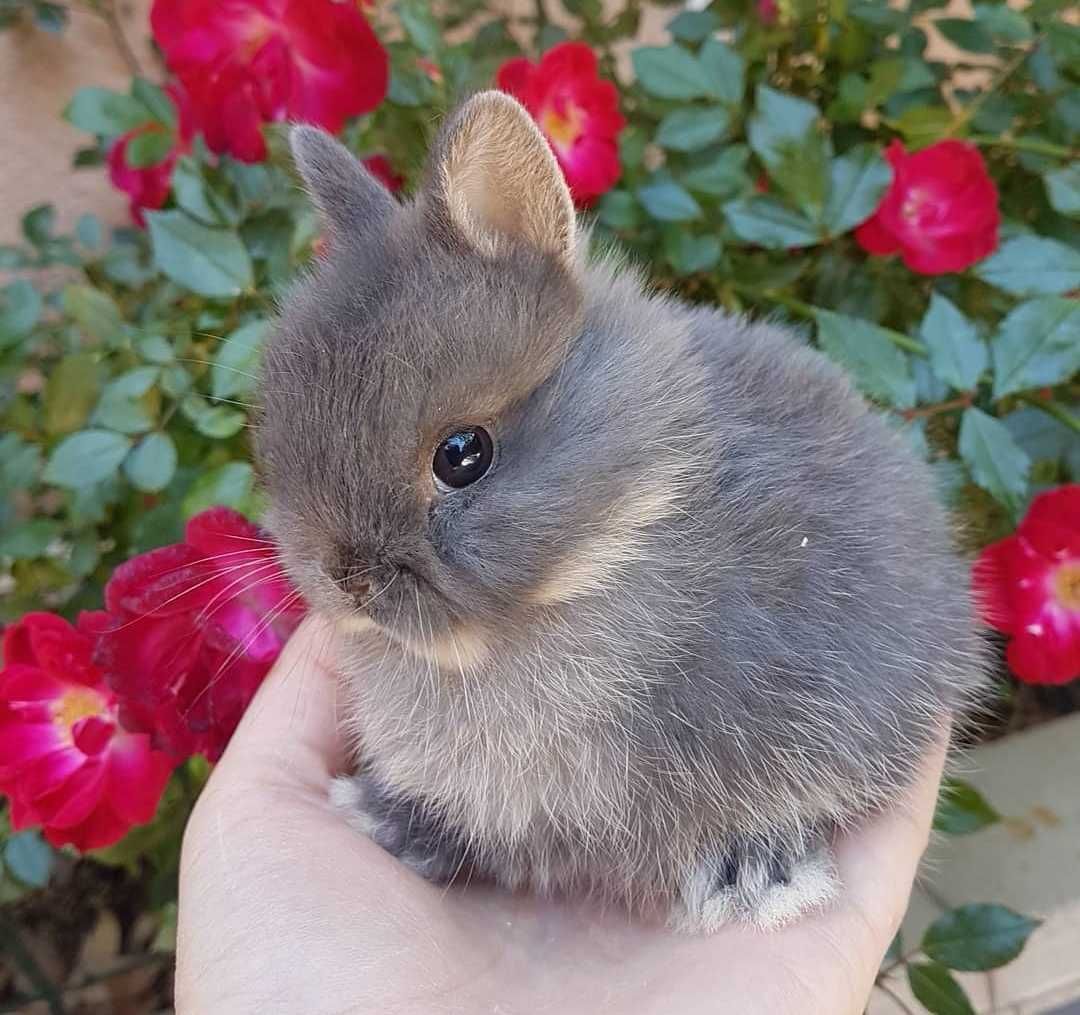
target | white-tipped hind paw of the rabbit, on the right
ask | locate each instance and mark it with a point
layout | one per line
(764, 887)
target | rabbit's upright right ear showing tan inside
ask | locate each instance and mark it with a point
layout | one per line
(493, 178)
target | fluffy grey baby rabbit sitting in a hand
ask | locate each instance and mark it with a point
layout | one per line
(641, 600)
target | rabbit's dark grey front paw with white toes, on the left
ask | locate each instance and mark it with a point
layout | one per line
(406, 829)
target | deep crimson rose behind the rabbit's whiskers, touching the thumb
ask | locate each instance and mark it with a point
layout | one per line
(192, 630)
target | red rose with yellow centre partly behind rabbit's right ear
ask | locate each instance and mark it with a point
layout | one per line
(577, 111)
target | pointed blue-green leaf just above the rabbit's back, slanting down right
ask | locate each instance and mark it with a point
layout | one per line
(879, 368)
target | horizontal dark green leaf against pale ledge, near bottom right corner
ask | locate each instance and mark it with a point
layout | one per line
(978, 938)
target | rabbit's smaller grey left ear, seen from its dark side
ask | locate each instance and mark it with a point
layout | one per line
(349, 198)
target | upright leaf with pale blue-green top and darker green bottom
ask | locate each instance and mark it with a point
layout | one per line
(784, 133)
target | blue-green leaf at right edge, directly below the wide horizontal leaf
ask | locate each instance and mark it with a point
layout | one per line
(1038, 344)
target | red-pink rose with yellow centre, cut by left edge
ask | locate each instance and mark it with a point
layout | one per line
(65, 764)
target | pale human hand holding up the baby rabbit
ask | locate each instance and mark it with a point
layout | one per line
(287, 909)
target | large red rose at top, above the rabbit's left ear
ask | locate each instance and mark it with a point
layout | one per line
(249, 62)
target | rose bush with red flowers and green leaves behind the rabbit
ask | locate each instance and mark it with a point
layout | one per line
(916, 220)
